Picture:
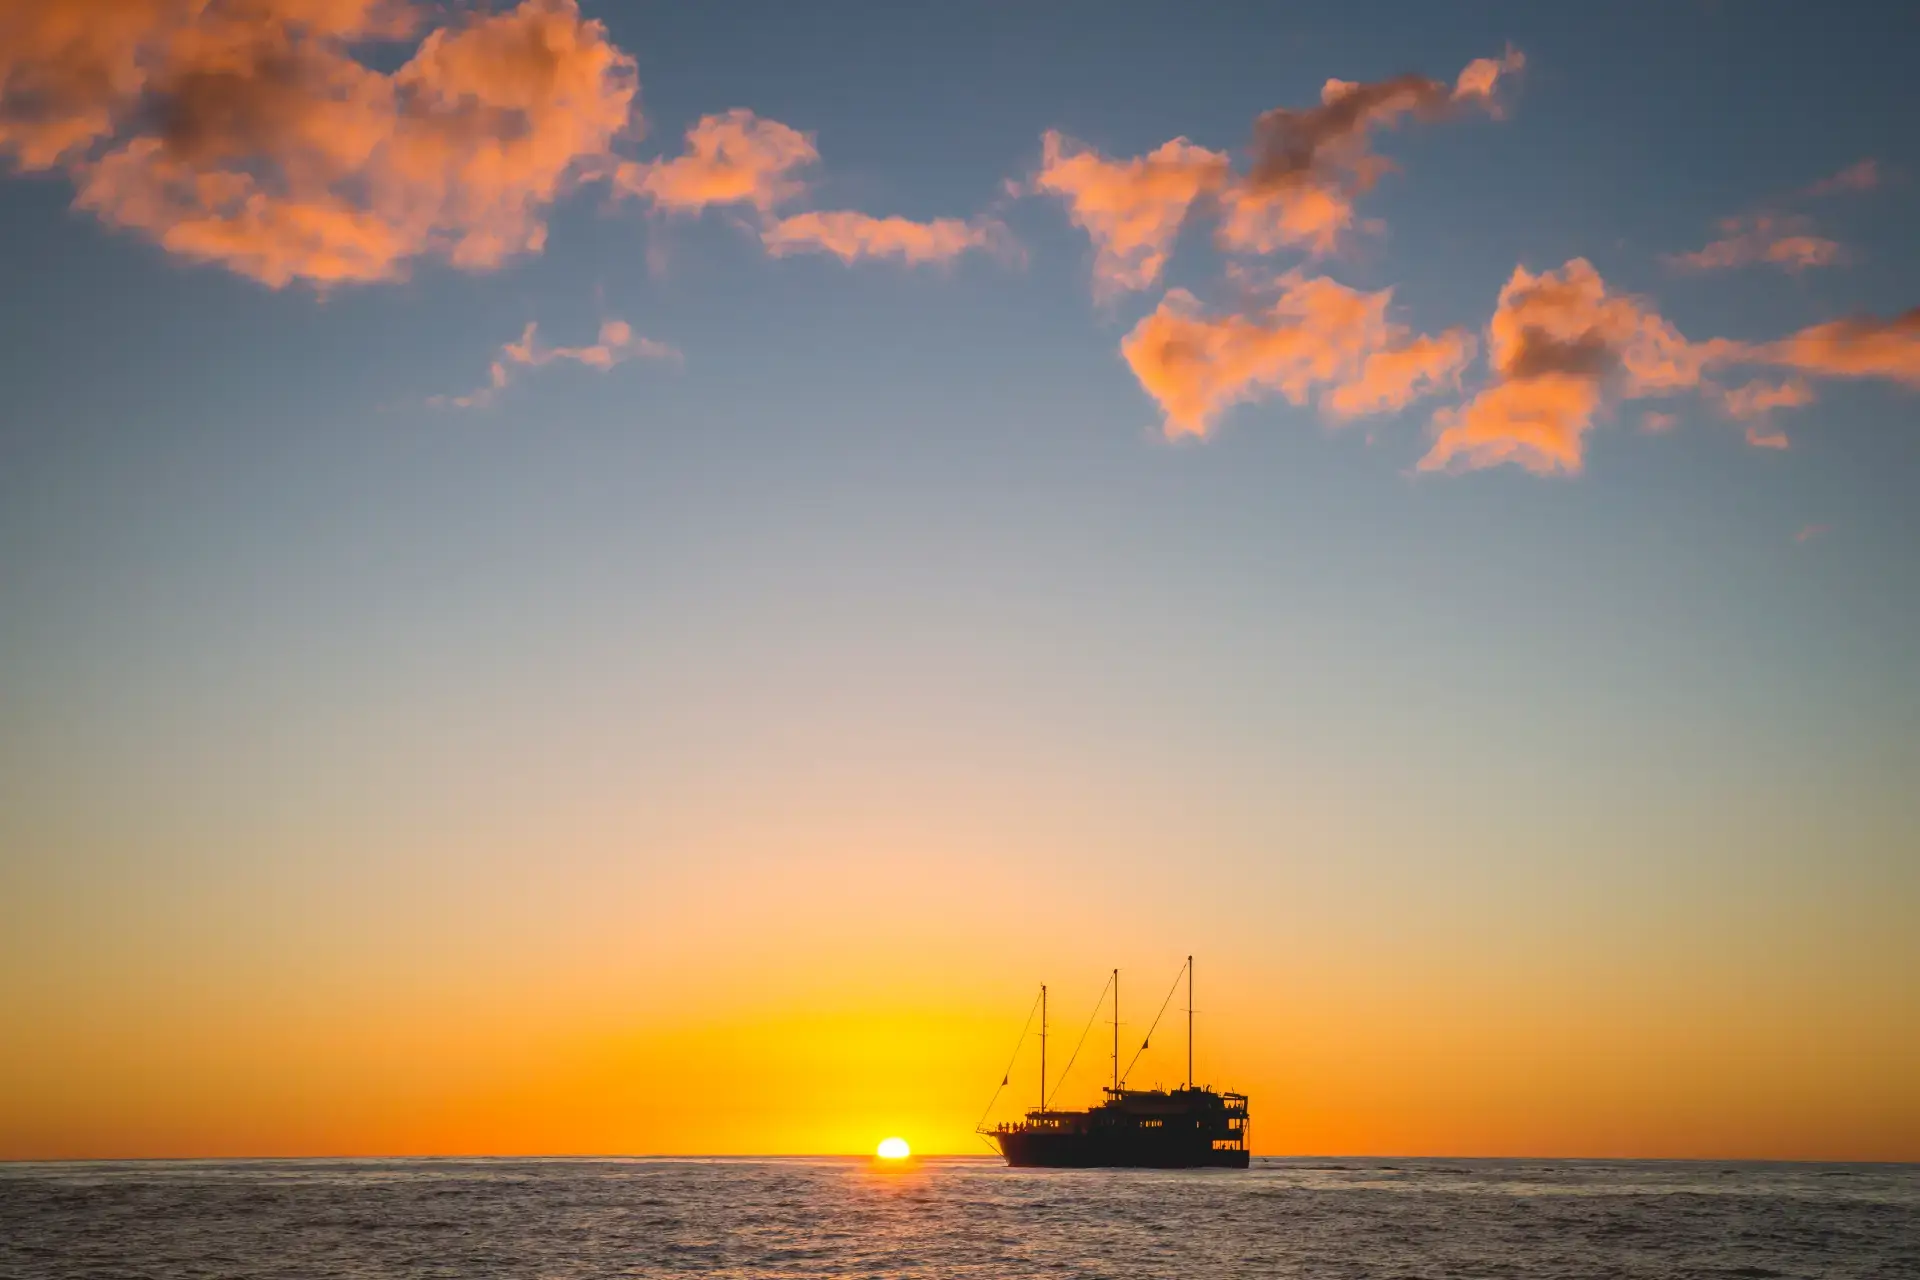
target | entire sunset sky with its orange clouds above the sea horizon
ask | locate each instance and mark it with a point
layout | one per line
(635, 579)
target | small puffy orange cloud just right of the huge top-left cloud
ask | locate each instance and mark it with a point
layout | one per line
(734, 158)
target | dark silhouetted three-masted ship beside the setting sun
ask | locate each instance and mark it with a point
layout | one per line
(1189, 1127)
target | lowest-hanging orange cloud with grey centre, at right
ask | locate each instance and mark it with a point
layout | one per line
(1560, 348)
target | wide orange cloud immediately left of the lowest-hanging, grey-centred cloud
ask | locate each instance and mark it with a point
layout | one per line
(1318, 341)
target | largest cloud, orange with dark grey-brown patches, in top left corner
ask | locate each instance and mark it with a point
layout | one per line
(254, 135)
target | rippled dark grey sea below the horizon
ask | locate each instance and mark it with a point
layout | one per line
(661, 1218)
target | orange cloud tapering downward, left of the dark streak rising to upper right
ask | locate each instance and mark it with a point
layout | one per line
(1132, 208)
